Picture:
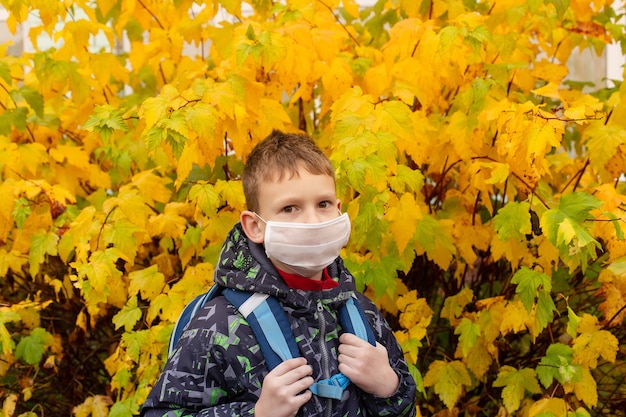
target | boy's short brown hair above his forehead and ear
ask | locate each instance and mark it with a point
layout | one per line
(280, 155)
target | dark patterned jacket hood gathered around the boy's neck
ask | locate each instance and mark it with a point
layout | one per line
(243, 265)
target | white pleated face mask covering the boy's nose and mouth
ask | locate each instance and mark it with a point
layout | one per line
(306, 248)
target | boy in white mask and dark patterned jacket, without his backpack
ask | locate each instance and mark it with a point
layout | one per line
(286, 245)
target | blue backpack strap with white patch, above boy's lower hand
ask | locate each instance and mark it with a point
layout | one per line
(269, 323)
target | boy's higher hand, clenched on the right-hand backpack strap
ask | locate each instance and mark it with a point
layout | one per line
(367, 366)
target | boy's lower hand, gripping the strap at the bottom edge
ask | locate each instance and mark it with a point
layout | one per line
(282, 391)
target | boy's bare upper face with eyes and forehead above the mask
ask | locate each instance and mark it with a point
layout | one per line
(307, 198)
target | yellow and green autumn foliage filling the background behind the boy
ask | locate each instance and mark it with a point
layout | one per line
(486, 191)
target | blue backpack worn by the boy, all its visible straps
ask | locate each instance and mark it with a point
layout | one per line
(271, 328)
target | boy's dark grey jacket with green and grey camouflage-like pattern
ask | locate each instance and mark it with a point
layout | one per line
(217, 367)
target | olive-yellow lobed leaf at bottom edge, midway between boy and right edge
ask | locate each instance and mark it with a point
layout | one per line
(516, 383)
